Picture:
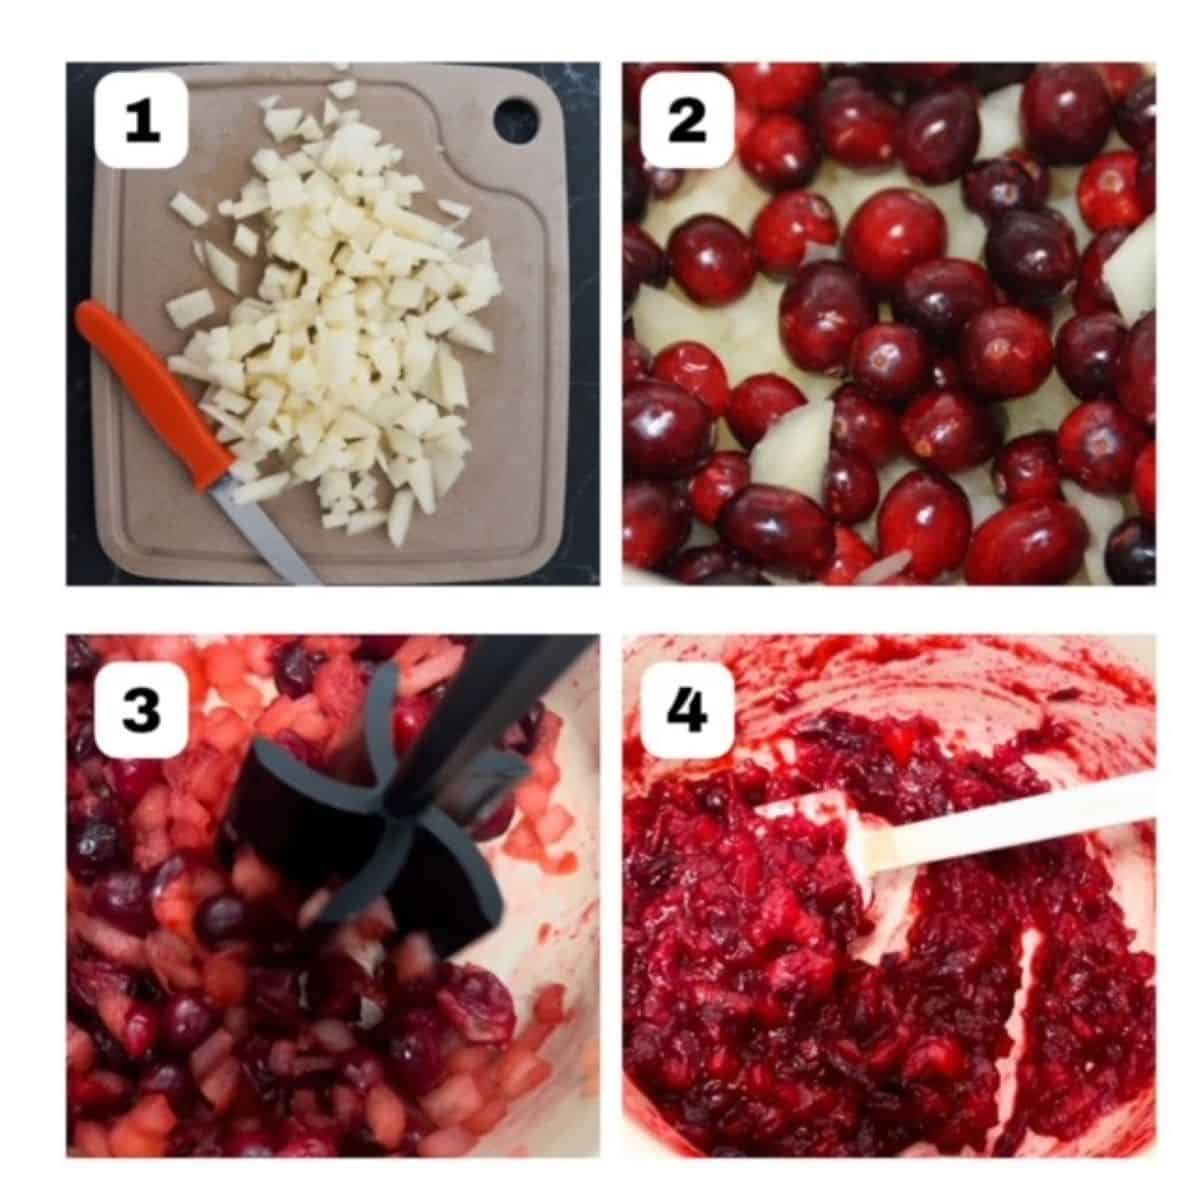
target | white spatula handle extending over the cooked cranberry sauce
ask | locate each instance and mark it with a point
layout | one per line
(1113, 802)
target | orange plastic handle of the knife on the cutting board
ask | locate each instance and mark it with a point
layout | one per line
(157, 392)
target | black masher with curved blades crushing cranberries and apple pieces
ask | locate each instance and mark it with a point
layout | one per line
(399, 827)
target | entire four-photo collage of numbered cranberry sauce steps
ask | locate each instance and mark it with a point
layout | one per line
(347, 895)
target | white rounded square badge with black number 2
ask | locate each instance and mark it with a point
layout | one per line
(687, 119)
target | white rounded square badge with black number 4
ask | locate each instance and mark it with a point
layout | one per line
(688, 711)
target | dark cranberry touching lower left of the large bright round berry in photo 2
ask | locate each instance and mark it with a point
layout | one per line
(821, 314)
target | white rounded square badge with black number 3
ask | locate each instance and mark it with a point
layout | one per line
(141, 710)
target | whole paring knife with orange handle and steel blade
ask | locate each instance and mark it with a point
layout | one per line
(176, 419)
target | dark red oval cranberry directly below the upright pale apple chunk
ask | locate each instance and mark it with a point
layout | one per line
(779, 529)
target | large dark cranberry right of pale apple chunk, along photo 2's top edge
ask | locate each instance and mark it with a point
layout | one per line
(1066, 113)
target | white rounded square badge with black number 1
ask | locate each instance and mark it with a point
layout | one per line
(141, 121)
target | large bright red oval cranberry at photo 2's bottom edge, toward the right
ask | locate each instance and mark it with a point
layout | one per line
(1030, 543)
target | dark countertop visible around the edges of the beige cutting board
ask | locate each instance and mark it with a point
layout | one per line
(578, 559)
